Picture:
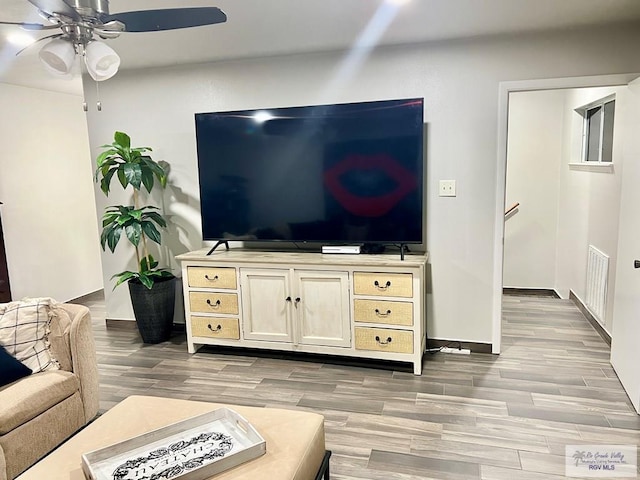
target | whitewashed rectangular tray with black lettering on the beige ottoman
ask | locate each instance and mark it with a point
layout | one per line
(193, 449)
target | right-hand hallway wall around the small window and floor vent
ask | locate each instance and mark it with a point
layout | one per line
(589, 202)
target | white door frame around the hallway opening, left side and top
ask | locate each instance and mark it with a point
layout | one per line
(505, 88)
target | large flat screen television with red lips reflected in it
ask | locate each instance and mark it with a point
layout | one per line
(347, 174)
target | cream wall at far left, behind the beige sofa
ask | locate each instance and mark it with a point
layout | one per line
(49, 217)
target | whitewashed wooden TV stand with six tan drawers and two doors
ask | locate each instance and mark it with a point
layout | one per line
(362, 306)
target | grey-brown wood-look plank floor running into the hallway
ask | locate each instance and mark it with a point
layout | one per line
(467, 417)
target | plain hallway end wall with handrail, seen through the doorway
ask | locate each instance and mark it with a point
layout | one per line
(533, 177)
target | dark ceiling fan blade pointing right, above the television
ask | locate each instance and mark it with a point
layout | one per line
(167, 19)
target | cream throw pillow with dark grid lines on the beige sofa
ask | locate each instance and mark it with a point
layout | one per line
(24, 330)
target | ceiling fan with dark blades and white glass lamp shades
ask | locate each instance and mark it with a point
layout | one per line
(83, 22)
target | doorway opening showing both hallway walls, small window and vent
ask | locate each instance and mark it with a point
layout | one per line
(567, 229)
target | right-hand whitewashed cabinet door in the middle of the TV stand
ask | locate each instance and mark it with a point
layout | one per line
(322, 308)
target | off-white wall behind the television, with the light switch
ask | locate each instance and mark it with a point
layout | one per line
(459, 81)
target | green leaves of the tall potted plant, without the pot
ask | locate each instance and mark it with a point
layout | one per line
(132, 166)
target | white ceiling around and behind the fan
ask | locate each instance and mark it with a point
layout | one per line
(257, 28)
